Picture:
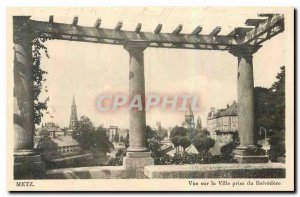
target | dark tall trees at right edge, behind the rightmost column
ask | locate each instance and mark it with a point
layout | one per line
(269, 105)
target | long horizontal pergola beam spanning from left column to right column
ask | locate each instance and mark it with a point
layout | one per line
(109, 36)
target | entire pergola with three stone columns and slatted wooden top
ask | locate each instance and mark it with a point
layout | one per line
(241, 42)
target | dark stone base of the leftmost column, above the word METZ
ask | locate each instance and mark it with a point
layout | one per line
(28, 165)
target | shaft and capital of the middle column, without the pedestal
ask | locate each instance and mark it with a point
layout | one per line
(137, 118)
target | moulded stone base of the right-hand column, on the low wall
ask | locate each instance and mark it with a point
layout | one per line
(250, 154)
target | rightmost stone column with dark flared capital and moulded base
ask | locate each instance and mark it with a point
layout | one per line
(247, 152)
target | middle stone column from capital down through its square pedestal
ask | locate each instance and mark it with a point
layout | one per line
(137, 156)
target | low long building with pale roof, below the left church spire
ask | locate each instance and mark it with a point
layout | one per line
(67, 145)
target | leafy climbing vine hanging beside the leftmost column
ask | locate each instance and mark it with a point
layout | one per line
(38, 77)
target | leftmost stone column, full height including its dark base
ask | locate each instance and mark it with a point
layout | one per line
(27, 163)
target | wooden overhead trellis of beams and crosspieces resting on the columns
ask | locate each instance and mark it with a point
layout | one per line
(255, 33)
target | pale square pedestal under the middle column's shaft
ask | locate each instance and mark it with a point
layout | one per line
(135, 162)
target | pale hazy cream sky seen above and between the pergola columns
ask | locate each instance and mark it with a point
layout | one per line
(88, 70)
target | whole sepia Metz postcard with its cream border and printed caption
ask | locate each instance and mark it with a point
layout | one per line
(150, 99)
